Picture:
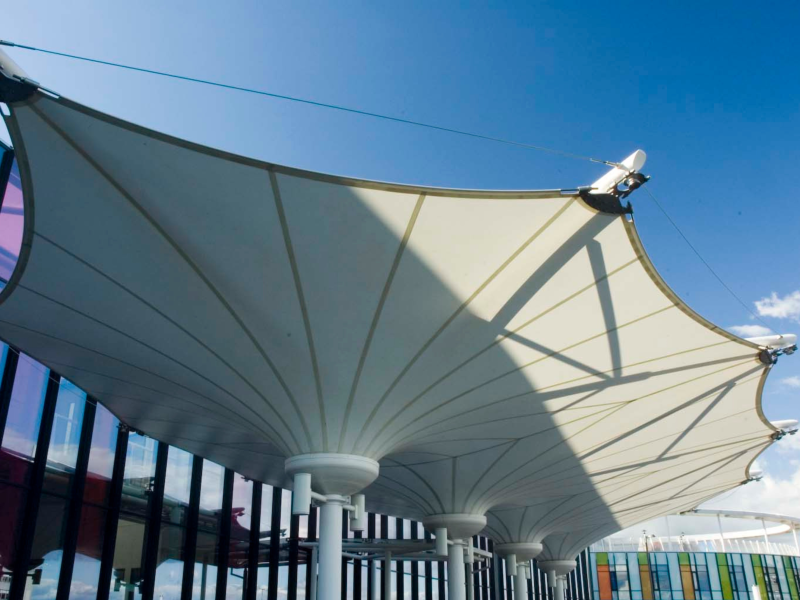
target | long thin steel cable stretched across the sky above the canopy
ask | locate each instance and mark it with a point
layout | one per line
(317, 104)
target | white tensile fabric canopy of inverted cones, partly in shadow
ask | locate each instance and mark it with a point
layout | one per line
(512, 352)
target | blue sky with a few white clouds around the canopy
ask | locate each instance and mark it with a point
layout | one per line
(709, 91)
